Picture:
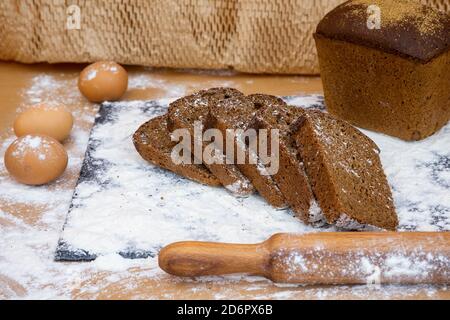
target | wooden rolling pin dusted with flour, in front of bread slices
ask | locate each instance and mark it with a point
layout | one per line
(320, 258)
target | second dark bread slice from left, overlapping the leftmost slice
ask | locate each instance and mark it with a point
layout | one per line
(183, 113)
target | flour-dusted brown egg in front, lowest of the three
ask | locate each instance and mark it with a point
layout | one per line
(35, 159)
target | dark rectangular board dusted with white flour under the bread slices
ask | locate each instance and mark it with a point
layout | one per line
(124, 205)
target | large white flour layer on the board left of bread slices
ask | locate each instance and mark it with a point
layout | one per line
(160, 207)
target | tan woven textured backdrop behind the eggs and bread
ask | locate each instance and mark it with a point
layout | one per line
(257, 36)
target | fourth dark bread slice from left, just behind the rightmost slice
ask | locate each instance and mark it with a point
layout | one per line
(291, 177)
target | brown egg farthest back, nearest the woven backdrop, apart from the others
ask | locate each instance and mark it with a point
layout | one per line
(103, 81)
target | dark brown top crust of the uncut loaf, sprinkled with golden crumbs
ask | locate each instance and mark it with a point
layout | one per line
(406, 28)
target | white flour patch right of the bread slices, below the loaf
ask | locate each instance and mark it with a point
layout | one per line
(418, 173)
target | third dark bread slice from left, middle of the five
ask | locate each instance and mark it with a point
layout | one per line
(235, 113)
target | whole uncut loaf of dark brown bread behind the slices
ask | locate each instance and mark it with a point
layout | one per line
(393, 77)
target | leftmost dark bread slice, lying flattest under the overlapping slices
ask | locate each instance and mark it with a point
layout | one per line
(153, 143)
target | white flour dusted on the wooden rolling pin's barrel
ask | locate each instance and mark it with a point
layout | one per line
(379, 267)
